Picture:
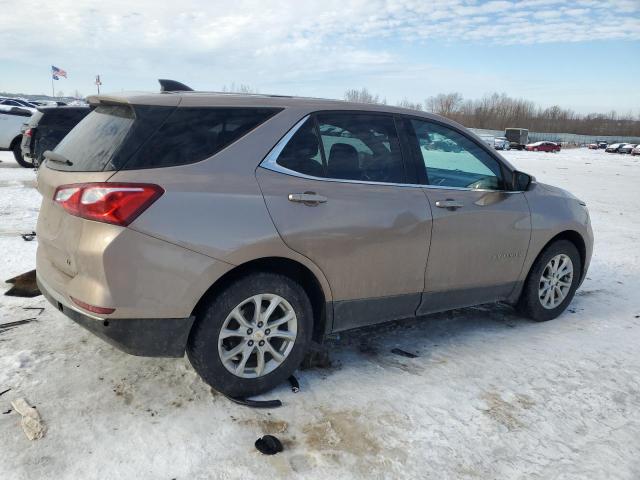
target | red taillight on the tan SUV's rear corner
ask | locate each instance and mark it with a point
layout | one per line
(115, 203)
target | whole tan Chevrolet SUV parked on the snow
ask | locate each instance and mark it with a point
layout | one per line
(242, 227)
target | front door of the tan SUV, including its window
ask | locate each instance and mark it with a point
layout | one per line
(481, 231)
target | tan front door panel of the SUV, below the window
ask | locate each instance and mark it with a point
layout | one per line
(477, 249)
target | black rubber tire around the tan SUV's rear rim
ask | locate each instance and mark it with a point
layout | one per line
(202, 348)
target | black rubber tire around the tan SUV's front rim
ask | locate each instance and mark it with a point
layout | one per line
(529, 304)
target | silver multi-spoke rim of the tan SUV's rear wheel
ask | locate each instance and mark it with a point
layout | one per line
(257, 336)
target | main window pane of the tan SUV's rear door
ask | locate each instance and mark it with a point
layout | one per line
(360, 146)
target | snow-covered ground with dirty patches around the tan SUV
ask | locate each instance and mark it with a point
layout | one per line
(491, 395)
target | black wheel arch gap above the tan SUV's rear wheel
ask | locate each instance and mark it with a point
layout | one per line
(322, 312)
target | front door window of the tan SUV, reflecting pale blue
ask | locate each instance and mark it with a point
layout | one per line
(454, 160)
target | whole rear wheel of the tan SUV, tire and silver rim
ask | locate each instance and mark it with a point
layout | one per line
(252, 335)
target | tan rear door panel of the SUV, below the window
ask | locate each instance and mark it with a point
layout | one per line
(370, 240)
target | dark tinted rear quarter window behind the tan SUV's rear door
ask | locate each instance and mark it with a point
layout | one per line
(193, 134)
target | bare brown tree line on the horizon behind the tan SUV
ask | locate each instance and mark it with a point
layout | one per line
(499, 111)
